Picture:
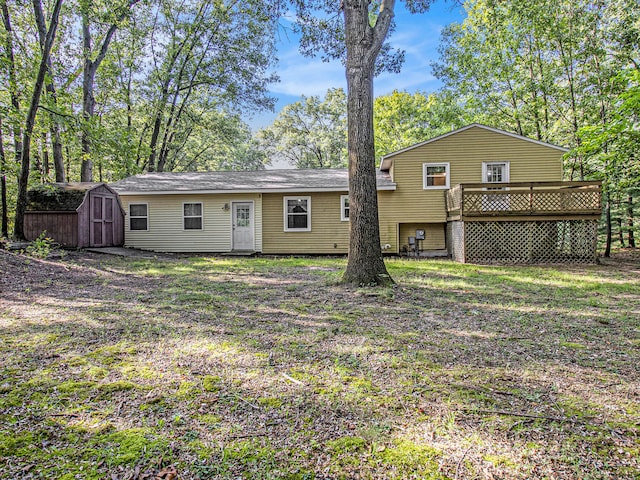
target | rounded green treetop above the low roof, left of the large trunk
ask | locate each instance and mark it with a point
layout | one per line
(310, 133)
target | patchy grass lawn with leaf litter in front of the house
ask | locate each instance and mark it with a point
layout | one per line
(260, 368)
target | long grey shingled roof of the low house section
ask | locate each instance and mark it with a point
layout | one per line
(259, 181)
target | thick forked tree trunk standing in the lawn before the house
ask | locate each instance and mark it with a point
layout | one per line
(365, 264)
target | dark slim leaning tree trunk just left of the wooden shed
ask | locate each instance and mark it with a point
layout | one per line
(23, 179)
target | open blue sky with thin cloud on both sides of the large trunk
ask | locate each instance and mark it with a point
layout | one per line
(418, 35)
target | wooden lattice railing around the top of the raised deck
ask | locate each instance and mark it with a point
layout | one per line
(524, 199)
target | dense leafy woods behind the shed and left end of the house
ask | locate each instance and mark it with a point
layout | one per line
(131, 82)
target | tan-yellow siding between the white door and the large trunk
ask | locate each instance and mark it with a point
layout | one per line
(328, 235)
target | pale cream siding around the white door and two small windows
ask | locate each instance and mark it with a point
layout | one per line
(166, 231)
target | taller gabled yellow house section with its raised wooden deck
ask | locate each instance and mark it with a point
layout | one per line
(483, 194)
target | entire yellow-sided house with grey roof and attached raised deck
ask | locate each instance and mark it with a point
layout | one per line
(425, 193)
